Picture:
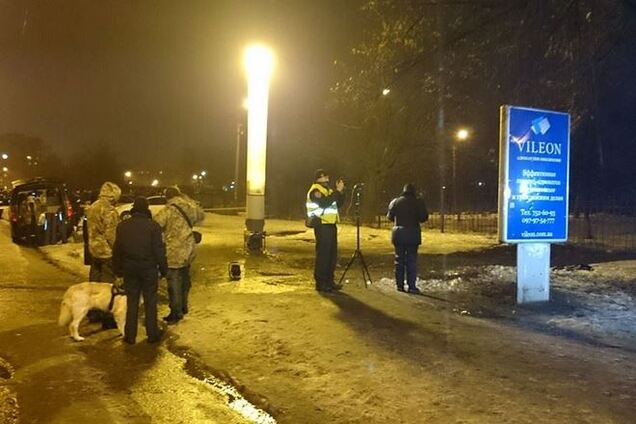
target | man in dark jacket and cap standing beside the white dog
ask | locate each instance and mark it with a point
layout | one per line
(139, 255)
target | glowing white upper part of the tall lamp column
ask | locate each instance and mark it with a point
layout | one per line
(259, 64)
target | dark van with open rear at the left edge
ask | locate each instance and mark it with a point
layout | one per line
(40, 212)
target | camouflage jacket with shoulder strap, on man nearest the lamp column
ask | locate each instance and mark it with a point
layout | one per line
(177, 234)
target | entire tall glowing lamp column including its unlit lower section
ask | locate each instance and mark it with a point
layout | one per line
(259, 63)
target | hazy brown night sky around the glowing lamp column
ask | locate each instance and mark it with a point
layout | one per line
(156, 78)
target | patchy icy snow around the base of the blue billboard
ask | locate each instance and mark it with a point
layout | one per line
(597, 303)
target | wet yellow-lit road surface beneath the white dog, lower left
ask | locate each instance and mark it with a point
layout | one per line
(46, 377)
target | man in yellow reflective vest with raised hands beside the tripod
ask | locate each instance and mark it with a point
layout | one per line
(322, 204)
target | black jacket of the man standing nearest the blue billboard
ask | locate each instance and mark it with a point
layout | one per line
(407, 211)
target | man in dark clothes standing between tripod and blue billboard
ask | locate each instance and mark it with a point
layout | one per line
(407, 212)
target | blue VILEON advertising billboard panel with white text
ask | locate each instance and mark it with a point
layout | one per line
(534, 165)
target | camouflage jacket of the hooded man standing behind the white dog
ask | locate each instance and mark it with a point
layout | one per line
(102, 220)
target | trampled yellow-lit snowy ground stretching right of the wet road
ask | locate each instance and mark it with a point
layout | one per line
(461, 352)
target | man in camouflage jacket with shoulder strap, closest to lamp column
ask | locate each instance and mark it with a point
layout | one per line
(177, 233)
